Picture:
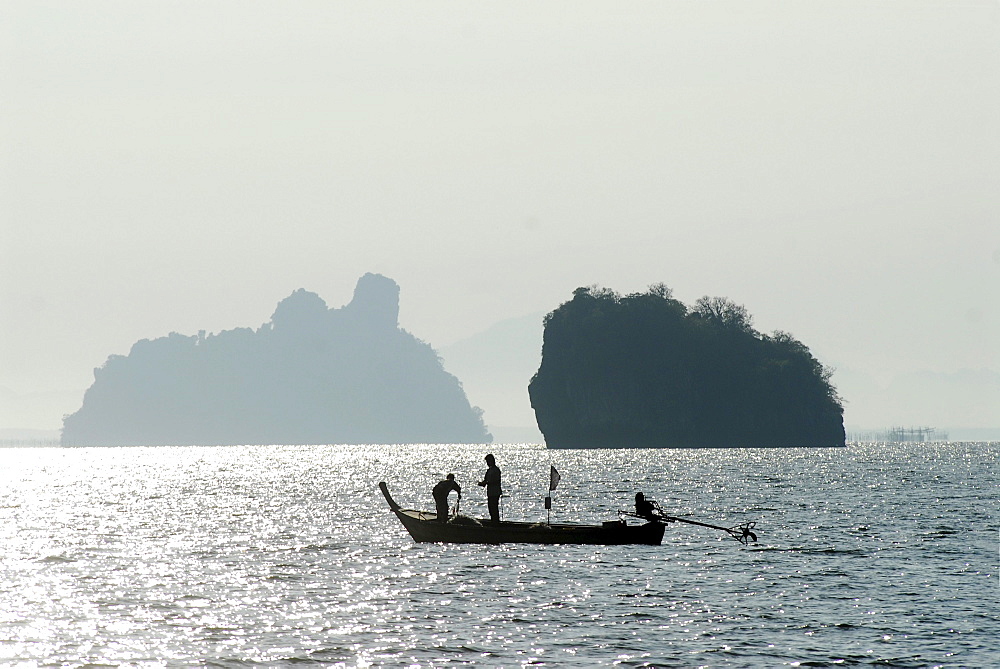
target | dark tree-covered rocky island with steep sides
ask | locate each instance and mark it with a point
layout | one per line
(644, 370)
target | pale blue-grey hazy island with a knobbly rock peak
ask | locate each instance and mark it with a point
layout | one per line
(312, 375)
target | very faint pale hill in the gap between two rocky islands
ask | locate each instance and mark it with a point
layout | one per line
(495, 366)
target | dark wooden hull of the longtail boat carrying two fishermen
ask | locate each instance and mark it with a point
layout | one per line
(424, 526)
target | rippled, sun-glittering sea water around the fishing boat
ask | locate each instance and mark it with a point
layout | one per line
(882, 554)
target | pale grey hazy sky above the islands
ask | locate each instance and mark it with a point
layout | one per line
(835, 167)
